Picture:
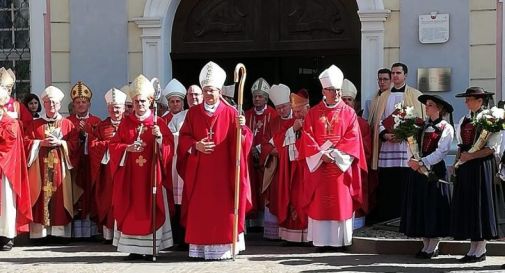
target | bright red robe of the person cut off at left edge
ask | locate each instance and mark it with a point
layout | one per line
(13, 166)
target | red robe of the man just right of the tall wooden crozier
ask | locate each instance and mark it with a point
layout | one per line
(260, 127)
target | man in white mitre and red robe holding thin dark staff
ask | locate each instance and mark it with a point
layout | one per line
(132, 161)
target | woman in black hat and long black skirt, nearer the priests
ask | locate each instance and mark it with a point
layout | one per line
(426, 203)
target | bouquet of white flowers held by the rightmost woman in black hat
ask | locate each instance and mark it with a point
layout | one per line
(489, 121)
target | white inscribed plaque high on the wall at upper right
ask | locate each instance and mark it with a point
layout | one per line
(433, 28)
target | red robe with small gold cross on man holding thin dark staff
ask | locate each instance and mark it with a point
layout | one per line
(132, 192)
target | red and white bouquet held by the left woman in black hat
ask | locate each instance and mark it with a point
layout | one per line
(406, 127)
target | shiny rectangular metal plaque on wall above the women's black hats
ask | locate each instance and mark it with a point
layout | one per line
(436, 79)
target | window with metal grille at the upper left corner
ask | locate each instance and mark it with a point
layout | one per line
(15, 42)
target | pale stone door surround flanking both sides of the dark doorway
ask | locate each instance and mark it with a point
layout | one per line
(158, 19)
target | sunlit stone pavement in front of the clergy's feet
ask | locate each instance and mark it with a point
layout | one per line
(260, 256)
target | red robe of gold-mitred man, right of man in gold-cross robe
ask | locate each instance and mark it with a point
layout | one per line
(82, 172)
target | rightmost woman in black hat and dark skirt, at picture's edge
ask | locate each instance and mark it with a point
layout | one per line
(475, 206)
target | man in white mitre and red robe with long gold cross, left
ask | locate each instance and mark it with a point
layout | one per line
(50, 142)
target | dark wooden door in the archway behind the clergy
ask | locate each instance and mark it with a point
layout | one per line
(287, 41)
